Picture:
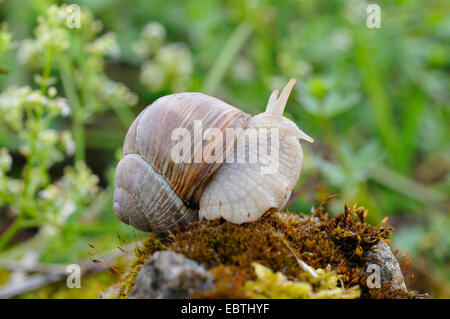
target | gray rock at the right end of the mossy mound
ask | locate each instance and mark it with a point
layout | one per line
(389, 269)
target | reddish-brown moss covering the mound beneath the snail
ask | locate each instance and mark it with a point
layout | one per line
(276, 241)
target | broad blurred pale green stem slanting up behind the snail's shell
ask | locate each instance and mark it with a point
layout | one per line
(229, 52)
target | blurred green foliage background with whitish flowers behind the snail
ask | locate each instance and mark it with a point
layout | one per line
(376, 101)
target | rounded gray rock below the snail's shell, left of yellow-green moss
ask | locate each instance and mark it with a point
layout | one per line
(170, 275)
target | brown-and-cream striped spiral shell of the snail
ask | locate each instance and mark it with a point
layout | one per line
(152, 192)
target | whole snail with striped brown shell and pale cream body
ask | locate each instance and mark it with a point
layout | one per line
(153, 192)
